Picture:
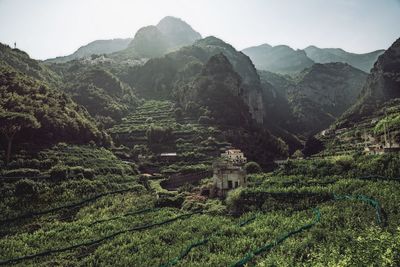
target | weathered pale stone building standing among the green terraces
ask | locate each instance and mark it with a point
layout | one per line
(229, 172)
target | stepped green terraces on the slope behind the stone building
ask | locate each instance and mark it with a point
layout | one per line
(195, 144)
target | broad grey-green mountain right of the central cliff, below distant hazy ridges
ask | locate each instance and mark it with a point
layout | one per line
(313, 99)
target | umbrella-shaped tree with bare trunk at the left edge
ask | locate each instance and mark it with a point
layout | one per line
(13, 122)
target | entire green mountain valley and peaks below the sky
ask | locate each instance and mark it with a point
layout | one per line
(174, 149)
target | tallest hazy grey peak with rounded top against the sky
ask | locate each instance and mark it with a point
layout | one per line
(168, 35)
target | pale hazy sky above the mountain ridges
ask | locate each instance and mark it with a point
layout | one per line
(50, 28)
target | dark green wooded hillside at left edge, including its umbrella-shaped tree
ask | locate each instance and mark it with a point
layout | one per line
(45, 115)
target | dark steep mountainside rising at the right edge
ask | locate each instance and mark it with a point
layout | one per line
(381, 86)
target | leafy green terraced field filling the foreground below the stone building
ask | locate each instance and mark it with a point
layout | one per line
(279, 219)
